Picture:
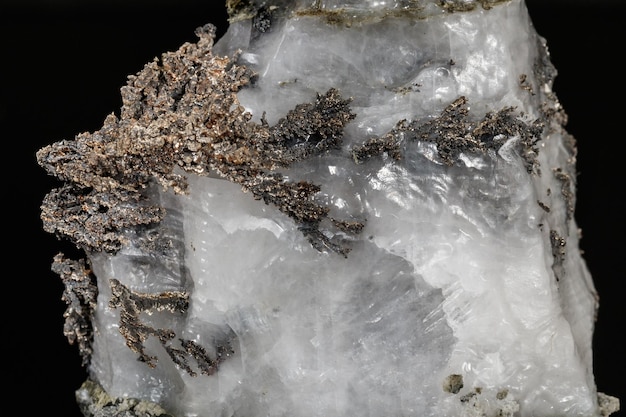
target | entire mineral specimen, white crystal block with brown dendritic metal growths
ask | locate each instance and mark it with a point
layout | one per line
(341, 208)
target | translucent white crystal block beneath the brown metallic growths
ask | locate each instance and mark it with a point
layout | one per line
(465, 294)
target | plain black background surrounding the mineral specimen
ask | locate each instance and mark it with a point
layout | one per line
(64, 62)
